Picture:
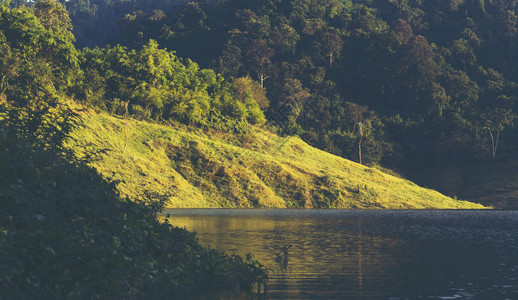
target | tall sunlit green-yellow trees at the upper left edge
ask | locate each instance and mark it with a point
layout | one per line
(37, 65)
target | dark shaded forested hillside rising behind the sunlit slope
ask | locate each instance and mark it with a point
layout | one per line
(432, 83)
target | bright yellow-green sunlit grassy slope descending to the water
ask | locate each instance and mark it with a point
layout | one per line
(260, 169)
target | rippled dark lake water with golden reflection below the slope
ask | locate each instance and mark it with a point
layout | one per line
(370, 254)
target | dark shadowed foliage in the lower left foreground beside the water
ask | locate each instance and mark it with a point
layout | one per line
(64, 232)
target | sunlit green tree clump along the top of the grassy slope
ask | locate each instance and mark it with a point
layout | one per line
(159, 86)
